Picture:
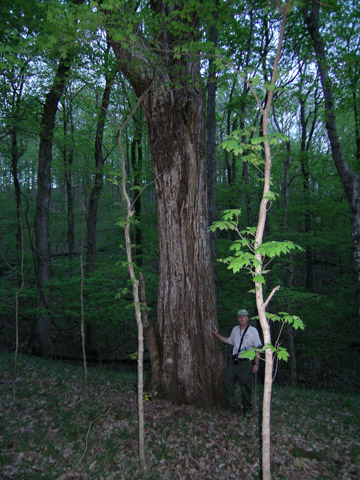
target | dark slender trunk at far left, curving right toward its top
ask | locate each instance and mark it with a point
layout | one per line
(41, 338)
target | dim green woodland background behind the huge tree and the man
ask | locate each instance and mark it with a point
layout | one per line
(64, 97)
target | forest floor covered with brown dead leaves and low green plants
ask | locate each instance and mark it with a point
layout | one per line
(54, 428)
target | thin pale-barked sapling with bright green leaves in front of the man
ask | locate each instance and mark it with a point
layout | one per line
(254, 258)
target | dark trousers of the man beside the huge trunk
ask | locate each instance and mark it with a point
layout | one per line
(242, 373)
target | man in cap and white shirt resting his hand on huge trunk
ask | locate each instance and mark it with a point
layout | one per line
(243, 337)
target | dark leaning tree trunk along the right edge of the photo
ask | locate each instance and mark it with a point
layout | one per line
(350, 179)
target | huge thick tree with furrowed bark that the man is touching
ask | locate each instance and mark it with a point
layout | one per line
(174, 109)
